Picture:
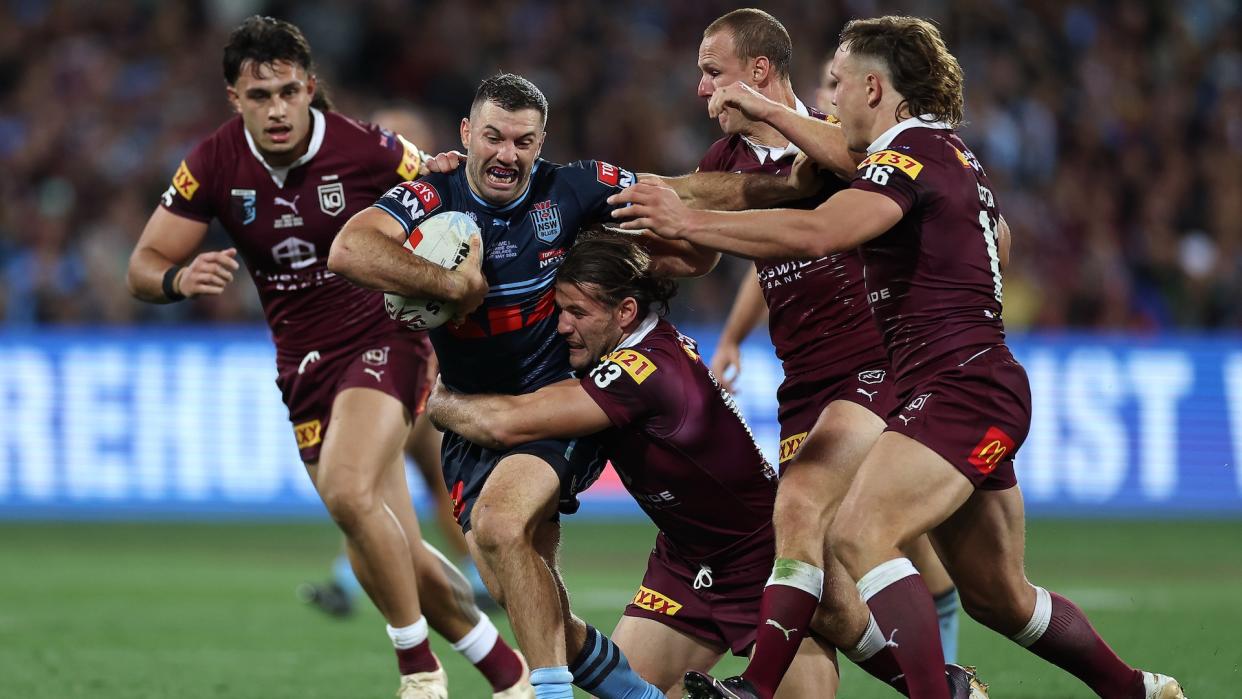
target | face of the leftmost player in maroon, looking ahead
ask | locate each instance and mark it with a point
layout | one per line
(274, 101)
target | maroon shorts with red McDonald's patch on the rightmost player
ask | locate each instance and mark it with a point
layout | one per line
(976, 415)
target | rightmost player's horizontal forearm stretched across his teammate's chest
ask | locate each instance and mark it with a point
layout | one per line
(777, 234)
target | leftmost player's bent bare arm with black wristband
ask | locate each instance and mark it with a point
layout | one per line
(156, 271)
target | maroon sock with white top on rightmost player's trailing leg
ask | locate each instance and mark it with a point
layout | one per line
(1059, 633)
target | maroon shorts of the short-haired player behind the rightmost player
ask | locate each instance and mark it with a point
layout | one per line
(803, 398)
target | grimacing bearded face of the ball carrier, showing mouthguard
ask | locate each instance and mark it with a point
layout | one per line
(502, 147)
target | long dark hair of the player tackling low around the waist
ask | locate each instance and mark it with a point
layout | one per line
(612, 268)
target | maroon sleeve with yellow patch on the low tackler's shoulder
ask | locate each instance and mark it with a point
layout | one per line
(629, 387)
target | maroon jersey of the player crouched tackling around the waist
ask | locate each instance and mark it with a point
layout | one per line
(680, 444)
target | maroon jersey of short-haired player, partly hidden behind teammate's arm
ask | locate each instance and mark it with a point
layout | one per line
(817, 309)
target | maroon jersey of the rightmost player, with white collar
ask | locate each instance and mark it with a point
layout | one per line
(935, 279)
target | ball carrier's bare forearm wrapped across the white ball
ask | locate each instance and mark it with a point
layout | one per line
(369, 259)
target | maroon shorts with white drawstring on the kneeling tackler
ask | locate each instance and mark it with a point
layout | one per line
(725, 610)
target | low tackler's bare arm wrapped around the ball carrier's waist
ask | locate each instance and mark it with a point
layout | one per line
(499, 422)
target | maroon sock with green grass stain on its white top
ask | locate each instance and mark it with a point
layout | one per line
(786, 613)
